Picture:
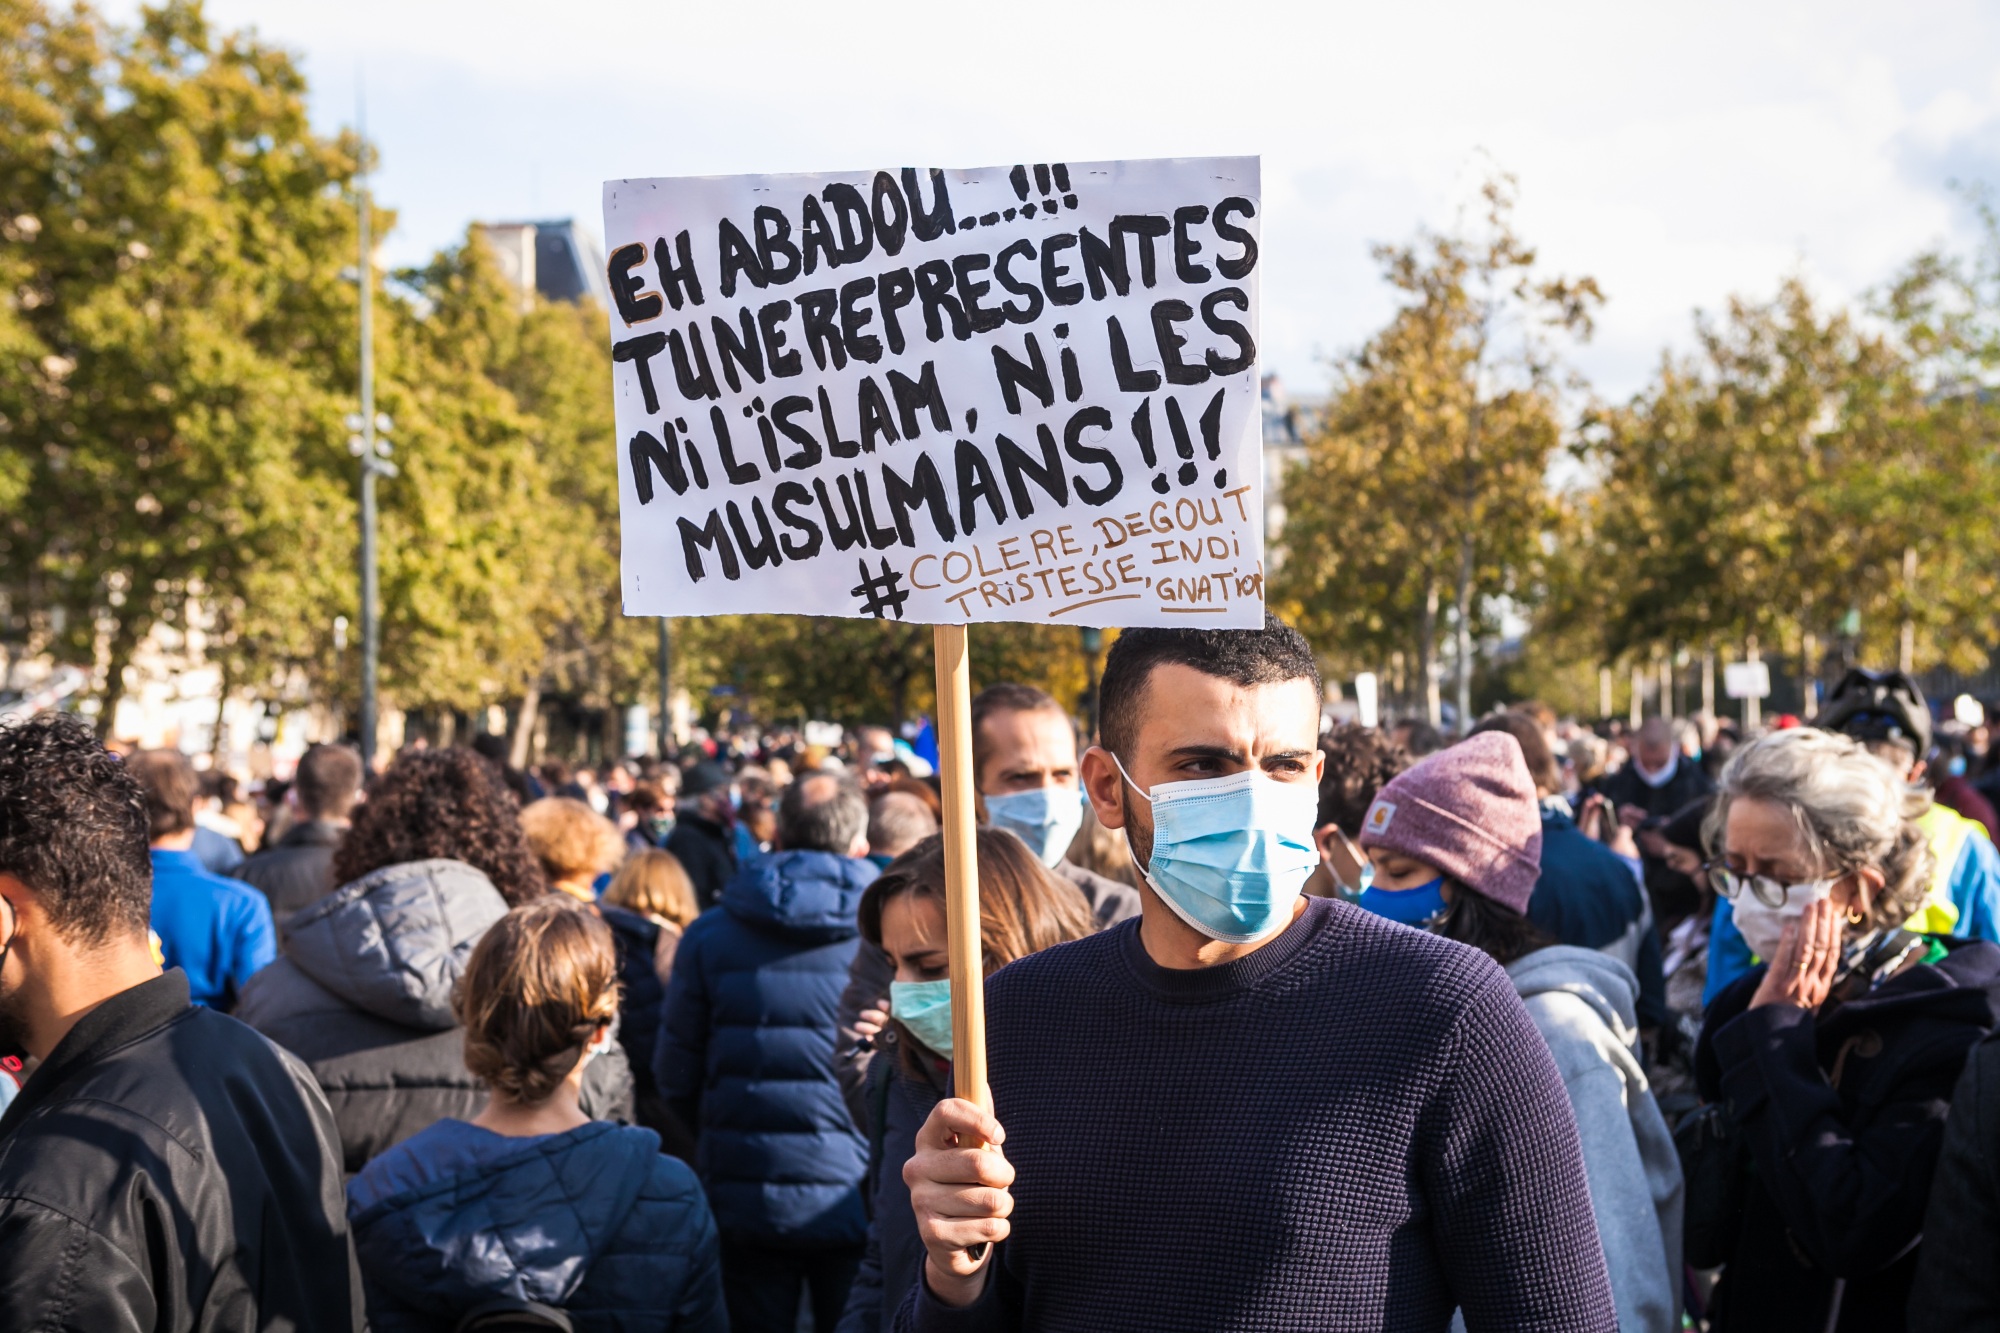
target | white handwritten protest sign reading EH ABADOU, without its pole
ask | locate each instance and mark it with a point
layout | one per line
(1015, 393)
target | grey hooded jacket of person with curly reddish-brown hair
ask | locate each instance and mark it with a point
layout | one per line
(363, 994)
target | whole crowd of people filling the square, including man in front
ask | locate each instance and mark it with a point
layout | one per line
(1289, 1024)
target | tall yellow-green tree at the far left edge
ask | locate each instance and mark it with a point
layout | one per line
(175, 345)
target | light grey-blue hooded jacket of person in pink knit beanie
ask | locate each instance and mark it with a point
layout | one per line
(1585, 1008)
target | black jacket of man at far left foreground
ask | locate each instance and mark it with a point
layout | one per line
(169, 1170)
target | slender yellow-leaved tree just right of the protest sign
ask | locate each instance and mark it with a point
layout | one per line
(1423, 497)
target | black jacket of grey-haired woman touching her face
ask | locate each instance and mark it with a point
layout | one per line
(1843, 1118)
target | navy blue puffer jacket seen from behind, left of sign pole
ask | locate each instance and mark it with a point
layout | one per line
(747, 1052)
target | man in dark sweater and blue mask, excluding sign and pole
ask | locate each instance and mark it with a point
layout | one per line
(1247, 1108)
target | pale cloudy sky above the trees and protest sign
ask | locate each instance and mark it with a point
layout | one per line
(1677, 153)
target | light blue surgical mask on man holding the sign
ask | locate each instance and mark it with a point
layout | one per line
(1231, 854)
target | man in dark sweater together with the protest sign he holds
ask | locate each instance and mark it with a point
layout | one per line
(1033, 395)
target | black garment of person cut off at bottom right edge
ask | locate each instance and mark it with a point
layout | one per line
(1959, 1278)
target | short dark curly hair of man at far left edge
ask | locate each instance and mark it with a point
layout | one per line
(75, 830)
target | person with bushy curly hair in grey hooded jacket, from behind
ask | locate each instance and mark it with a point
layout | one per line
(363, 990)
